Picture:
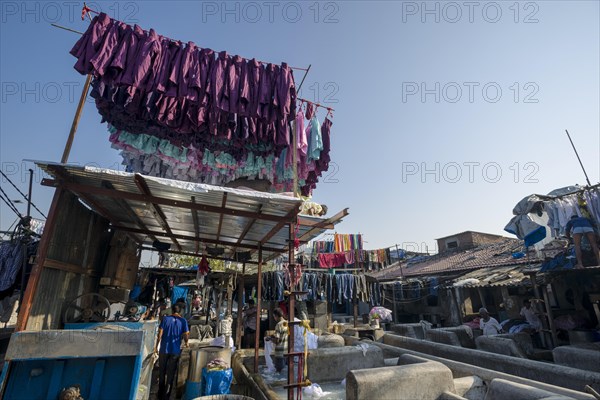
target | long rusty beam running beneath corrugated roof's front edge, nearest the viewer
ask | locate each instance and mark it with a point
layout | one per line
(76, 187)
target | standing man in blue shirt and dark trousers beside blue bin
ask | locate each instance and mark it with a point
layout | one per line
(170, 332)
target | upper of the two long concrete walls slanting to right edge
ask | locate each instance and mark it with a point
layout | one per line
(549, 373)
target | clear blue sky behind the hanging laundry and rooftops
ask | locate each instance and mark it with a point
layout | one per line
(447, 113)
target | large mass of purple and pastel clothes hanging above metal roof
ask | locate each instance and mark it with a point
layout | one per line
(179, 111)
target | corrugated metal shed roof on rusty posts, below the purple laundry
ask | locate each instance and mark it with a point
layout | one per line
(226, 217)
